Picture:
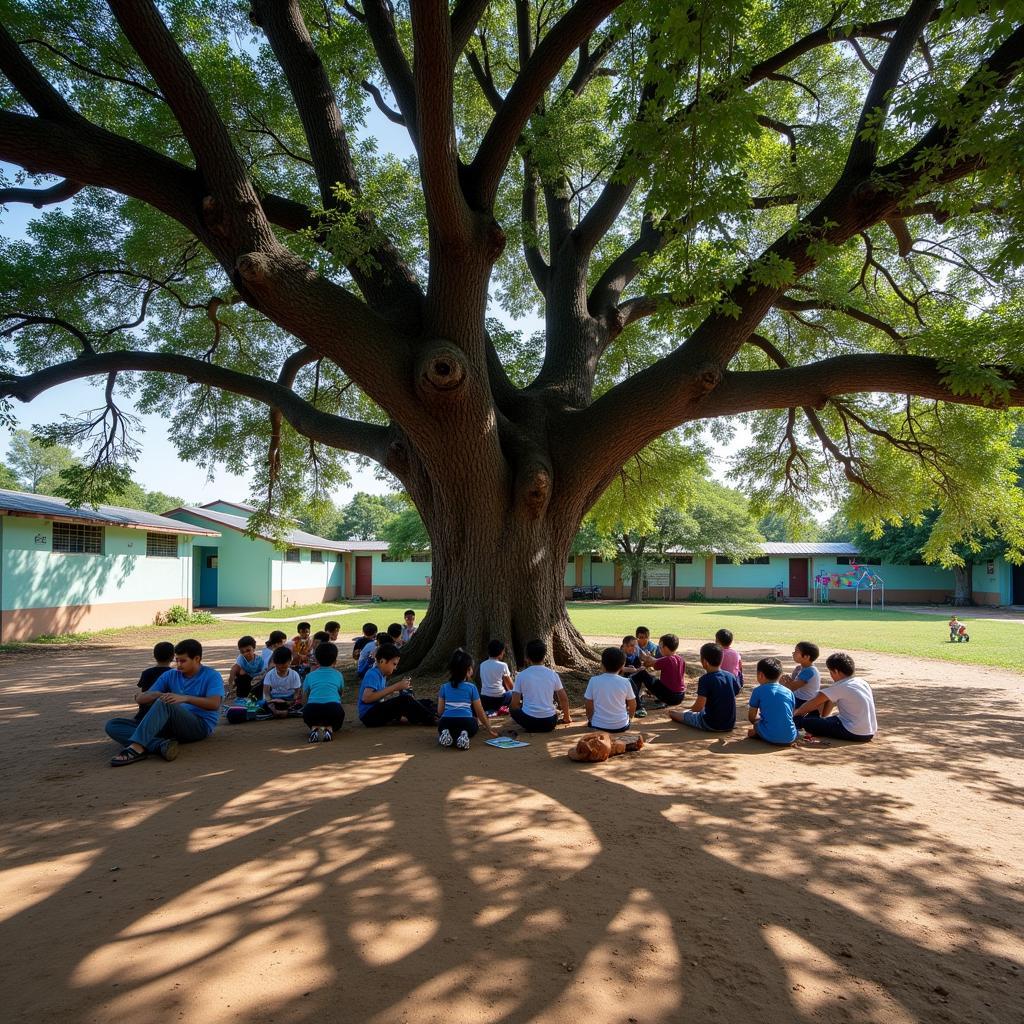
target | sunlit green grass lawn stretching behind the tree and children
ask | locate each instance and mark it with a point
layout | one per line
(993, 643)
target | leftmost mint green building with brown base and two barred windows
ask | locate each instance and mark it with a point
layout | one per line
(65, 570)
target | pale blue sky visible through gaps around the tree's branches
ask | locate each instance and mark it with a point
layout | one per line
(159, 467)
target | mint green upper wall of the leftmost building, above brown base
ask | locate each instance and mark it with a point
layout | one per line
(32, 576)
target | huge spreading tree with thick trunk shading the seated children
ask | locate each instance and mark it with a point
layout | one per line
(784, 210)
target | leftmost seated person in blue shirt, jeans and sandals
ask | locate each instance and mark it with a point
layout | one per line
(184, 707)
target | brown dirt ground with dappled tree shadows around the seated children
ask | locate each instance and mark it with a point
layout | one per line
(382, 879)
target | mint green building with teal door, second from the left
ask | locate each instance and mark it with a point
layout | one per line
(242, 571)
